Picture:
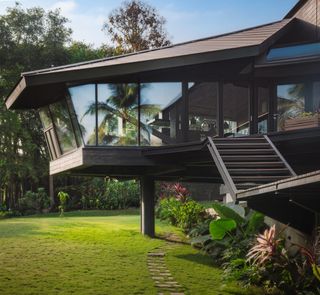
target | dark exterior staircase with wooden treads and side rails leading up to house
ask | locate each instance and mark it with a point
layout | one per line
(247, 162)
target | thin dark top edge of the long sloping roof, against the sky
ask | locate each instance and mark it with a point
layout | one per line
(149, 50)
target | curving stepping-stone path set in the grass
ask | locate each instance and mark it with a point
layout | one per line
(162, 277)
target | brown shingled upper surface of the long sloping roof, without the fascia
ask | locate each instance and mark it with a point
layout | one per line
(255, 36)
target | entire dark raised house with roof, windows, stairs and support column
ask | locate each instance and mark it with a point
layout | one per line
(240, 108)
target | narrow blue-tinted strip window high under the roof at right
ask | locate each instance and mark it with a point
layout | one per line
(296, 51)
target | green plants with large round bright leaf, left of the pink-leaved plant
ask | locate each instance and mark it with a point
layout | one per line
(230, 238)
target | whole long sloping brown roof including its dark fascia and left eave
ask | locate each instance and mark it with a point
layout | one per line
(240, 44)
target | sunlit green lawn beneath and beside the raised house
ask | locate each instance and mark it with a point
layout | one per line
(95, 253)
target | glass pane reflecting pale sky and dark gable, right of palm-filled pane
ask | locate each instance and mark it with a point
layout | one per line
(160, 113)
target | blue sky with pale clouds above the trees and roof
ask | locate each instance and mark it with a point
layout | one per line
(186, 19)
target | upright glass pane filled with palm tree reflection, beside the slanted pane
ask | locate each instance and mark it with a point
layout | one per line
(118, 114)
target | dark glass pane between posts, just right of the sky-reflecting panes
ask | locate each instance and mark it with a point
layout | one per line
(202, 110)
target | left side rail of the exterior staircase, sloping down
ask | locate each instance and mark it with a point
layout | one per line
(222, 168)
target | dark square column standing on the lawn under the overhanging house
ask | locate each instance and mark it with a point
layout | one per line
(147, 188)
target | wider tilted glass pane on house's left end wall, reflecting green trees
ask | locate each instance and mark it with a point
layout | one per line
(63, 126)
